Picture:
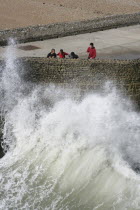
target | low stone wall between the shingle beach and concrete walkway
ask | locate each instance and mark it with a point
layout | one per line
(41, 32)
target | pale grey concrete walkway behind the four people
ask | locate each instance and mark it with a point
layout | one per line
(121, 43)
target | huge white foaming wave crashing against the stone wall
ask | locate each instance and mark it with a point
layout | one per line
(66, 152)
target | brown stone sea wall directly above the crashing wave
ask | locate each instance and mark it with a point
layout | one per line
(86, 74)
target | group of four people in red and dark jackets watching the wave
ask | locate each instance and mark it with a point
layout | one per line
(91, 53)
